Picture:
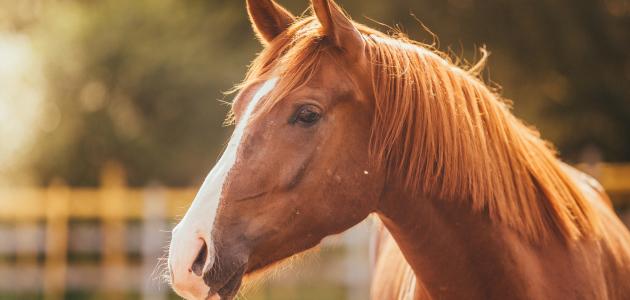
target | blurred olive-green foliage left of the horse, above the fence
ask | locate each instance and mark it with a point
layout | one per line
(138, 82)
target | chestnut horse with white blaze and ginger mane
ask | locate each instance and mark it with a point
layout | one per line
(335, 122)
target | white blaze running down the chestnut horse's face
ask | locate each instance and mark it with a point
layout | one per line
(199, 219)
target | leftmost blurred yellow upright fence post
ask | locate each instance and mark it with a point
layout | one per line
(56, 240)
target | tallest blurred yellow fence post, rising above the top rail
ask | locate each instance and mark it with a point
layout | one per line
(113, 209)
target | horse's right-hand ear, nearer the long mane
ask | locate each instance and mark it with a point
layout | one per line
(338, 27)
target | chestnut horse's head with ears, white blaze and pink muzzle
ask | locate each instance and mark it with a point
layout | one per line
(296, 168)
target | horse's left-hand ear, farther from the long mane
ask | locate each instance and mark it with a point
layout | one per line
(268, 18)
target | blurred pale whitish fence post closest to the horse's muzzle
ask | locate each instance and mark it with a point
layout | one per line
(154, 237)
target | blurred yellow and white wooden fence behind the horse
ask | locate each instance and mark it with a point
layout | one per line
(113, 205)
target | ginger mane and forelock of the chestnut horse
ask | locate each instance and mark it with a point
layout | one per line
(444, 133)
